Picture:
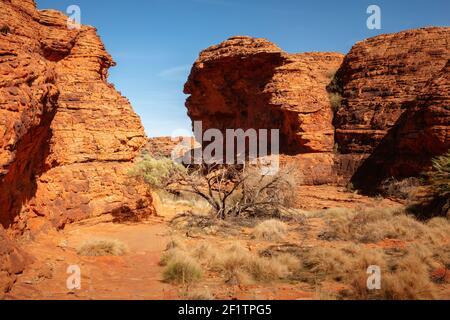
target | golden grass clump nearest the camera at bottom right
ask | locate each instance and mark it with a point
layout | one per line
(405, 274)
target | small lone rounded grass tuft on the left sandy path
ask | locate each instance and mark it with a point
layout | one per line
(102, 247)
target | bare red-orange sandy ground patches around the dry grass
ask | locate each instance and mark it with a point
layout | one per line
(137, 275)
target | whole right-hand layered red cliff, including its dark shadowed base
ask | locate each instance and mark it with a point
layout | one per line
(396, 103)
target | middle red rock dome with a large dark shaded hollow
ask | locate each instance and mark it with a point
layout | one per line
(247, 83)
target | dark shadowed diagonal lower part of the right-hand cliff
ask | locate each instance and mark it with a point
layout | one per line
(422, 132)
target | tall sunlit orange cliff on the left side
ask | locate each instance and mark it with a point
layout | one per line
(67, 137)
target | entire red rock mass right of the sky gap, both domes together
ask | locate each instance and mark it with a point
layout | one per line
(392, 120)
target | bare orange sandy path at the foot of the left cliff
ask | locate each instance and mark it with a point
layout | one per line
(136, 275)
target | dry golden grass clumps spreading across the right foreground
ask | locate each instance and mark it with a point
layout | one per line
(407, 269)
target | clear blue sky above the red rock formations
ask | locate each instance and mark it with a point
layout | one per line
(155, 42)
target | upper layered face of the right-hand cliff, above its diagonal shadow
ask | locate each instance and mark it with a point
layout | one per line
(381, 78)
